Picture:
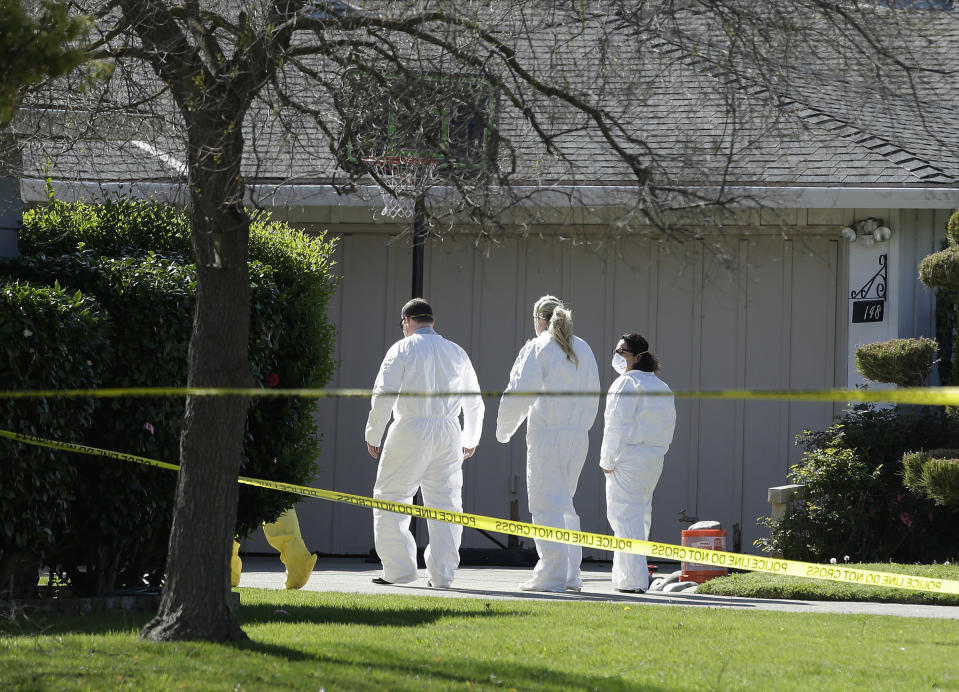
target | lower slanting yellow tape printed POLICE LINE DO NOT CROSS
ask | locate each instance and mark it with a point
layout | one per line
(579, 538)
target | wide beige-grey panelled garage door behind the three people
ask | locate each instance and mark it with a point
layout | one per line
(751, 311)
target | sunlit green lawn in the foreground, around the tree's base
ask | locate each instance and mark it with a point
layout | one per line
(313, 641)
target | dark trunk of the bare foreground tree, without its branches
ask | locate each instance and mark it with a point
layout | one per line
(197, 600)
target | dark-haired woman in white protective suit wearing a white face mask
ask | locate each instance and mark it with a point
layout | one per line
(637, 434)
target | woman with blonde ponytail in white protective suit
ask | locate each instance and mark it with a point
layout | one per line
(557, 437)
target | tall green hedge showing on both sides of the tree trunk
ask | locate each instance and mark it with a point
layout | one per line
(126, 509)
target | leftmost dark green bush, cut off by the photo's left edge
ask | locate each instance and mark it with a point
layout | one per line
(51, 338)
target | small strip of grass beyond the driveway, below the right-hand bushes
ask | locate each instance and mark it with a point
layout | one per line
(759, 585)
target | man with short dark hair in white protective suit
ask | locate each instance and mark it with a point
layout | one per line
(425, 446)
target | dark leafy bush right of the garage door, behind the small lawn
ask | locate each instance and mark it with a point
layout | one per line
(855, 502)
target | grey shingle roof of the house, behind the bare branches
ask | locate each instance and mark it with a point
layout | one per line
(696, 123)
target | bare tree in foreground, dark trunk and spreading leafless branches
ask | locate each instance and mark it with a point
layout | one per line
(531, 98)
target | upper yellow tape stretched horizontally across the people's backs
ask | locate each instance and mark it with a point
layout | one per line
(923, 396)
